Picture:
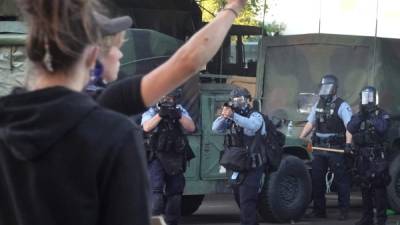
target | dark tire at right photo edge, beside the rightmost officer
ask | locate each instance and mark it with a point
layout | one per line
(393, 189)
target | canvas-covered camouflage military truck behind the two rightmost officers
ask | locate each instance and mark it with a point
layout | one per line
(290, 68)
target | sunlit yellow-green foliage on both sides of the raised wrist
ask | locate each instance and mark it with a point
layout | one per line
(248, 16)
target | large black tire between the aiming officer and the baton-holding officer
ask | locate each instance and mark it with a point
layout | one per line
(286, 193)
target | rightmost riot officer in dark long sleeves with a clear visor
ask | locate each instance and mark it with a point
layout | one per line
(369, 128)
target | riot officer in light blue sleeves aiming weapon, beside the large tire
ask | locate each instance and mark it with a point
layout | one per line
(242, 124)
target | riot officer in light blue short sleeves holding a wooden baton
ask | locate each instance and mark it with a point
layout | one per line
(329, 118)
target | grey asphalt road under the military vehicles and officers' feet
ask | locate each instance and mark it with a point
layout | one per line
(222, 210)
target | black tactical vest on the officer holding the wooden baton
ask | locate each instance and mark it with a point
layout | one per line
(328, 120)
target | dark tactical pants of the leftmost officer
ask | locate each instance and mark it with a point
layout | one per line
(166, 187)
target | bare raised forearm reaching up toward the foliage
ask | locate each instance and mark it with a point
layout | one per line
(190, 58)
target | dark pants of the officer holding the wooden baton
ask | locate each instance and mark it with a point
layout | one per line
(320, 164)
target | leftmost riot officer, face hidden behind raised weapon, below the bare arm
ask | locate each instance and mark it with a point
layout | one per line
(167, 154)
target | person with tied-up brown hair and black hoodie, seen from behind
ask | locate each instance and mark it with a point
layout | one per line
(64, 159)
